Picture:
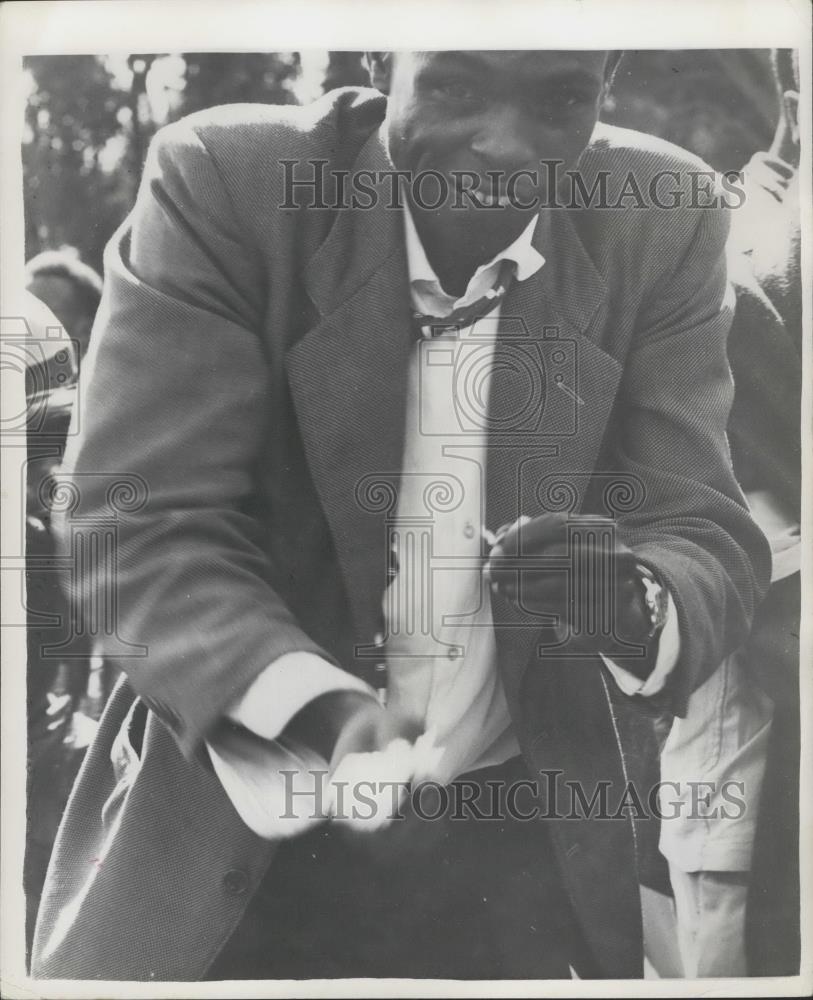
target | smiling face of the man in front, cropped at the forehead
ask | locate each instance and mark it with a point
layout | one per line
(483, 112)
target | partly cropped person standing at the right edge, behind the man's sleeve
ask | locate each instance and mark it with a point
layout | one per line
(736, 879)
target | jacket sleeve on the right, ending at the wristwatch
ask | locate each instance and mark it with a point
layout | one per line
(693, 526)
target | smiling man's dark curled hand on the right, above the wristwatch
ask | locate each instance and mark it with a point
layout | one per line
(558, 564)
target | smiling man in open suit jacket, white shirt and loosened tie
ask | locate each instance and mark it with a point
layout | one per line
(261, 387)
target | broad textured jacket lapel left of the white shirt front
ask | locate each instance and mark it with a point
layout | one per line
(348, 382)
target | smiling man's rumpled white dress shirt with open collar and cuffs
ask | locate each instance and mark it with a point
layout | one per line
(440, 648)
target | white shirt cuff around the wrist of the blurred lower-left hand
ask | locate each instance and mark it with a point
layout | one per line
(285, 687)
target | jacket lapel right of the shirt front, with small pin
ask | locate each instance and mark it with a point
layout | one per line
(552, 391)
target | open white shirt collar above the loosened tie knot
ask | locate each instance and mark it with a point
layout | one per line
(427, 291)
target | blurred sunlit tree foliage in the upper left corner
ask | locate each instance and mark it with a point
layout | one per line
(87, 133)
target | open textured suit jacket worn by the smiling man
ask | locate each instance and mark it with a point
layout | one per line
(245, 381)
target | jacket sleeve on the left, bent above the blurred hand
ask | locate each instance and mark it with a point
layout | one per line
(174, 399)
